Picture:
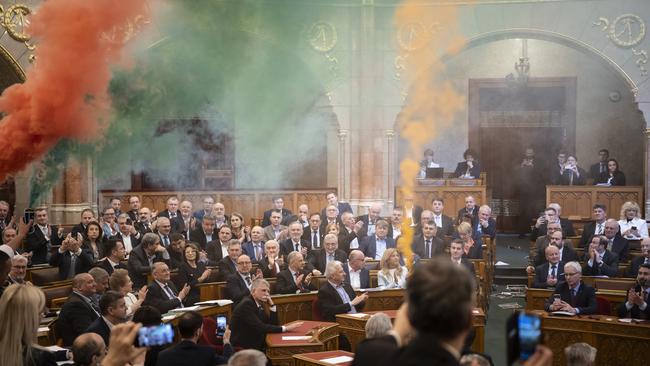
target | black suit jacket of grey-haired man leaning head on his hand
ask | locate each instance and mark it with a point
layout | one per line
(249, 325)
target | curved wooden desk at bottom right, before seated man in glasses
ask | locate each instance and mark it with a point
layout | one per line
(617, 343)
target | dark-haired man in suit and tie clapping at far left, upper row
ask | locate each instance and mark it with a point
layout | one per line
(42, 237)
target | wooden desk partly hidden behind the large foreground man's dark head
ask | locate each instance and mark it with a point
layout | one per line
(354, 327)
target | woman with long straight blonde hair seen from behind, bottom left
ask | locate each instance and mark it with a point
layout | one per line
(20, 316)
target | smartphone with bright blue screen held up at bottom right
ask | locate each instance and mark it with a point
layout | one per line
(523, 335)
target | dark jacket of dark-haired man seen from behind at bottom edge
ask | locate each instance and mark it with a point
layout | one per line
(200, 355)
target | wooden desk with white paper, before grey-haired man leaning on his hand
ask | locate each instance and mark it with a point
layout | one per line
(324, 338)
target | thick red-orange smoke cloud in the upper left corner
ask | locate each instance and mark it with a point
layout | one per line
(65, 92)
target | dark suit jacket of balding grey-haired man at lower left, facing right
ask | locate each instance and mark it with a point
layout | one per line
(75, 317)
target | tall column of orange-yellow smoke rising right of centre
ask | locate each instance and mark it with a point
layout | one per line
(431, 32)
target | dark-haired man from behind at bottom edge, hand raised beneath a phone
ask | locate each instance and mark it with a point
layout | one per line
(190, 327)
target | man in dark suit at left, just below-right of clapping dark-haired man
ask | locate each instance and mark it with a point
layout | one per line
(71, 258)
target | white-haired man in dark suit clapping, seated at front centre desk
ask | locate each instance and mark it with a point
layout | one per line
(336, 296)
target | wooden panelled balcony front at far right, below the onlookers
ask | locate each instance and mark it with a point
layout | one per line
(579, 200)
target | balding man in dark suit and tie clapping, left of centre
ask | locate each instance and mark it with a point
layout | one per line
(162, 293)
